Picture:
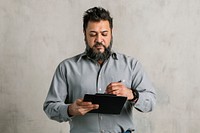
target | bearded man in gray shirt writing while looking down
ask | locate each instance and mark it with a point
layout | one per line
(98, 70)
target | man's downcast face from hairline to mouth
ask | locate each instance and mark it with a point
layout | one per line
(98, 32)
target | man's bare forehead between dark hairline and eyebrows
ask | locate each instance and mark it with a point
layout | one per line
(98, 26)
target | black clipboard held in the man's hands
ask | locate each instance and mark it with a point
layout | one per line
(108, 103)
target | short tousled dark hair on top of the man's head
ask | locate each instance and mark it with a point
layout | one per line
(96, 14)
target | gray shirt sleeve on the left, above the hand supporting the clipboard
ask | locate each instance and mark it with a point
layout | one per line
(54, 105)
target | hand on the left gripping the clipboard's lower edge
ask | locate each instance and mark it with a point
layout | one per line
(79, 107)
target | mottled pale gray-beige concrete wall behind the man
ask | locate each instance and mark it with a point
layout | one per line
(35, 35)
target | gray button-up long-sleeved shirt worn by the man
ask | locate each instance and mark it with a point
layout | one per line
(76, 76)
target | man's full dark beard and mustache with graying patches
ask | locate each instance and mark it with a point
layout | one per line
(98, 56)
